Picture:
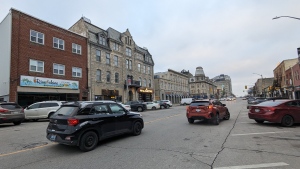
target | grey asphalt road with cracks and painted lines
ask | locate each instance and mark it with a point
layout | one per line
(167, 141)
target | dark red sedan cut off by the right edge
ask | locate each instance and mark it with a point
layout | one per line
(286, 112)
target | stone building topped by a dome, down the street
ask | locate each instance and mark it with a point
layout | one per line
(201, 86)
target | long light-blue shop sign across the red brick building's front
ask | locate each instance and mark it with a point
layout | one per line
(32, 81)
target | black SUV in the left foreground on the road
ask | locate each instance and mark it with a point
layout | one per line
(83, 124)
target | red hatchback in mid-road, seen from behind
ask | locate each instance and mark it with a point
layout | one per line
(207, 110)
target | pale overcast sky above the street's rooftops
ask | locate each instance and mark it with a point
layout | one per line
(232, 37)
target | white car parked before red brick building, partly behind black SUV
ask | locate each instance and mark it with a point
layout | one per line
(42, 110)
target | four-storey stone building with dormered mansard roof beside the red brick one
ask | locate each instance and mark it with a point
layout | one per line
(118, 68)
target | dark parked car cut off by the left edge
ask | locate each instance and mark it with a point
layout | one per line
(11, 112)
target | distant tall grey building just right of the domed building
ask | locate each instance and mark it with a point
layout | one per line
(224, 86)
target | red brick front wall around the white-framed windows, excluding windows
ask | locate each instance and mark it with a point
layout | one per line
(22, 50)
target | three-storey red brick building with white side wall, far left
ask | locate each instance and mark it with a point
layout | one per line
(40, 61)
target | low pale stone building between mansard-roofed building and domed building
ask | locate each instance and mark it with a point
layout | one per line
(171, 85)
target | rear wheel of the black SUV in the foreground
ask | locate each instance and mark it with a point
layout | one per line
(88, 141)
